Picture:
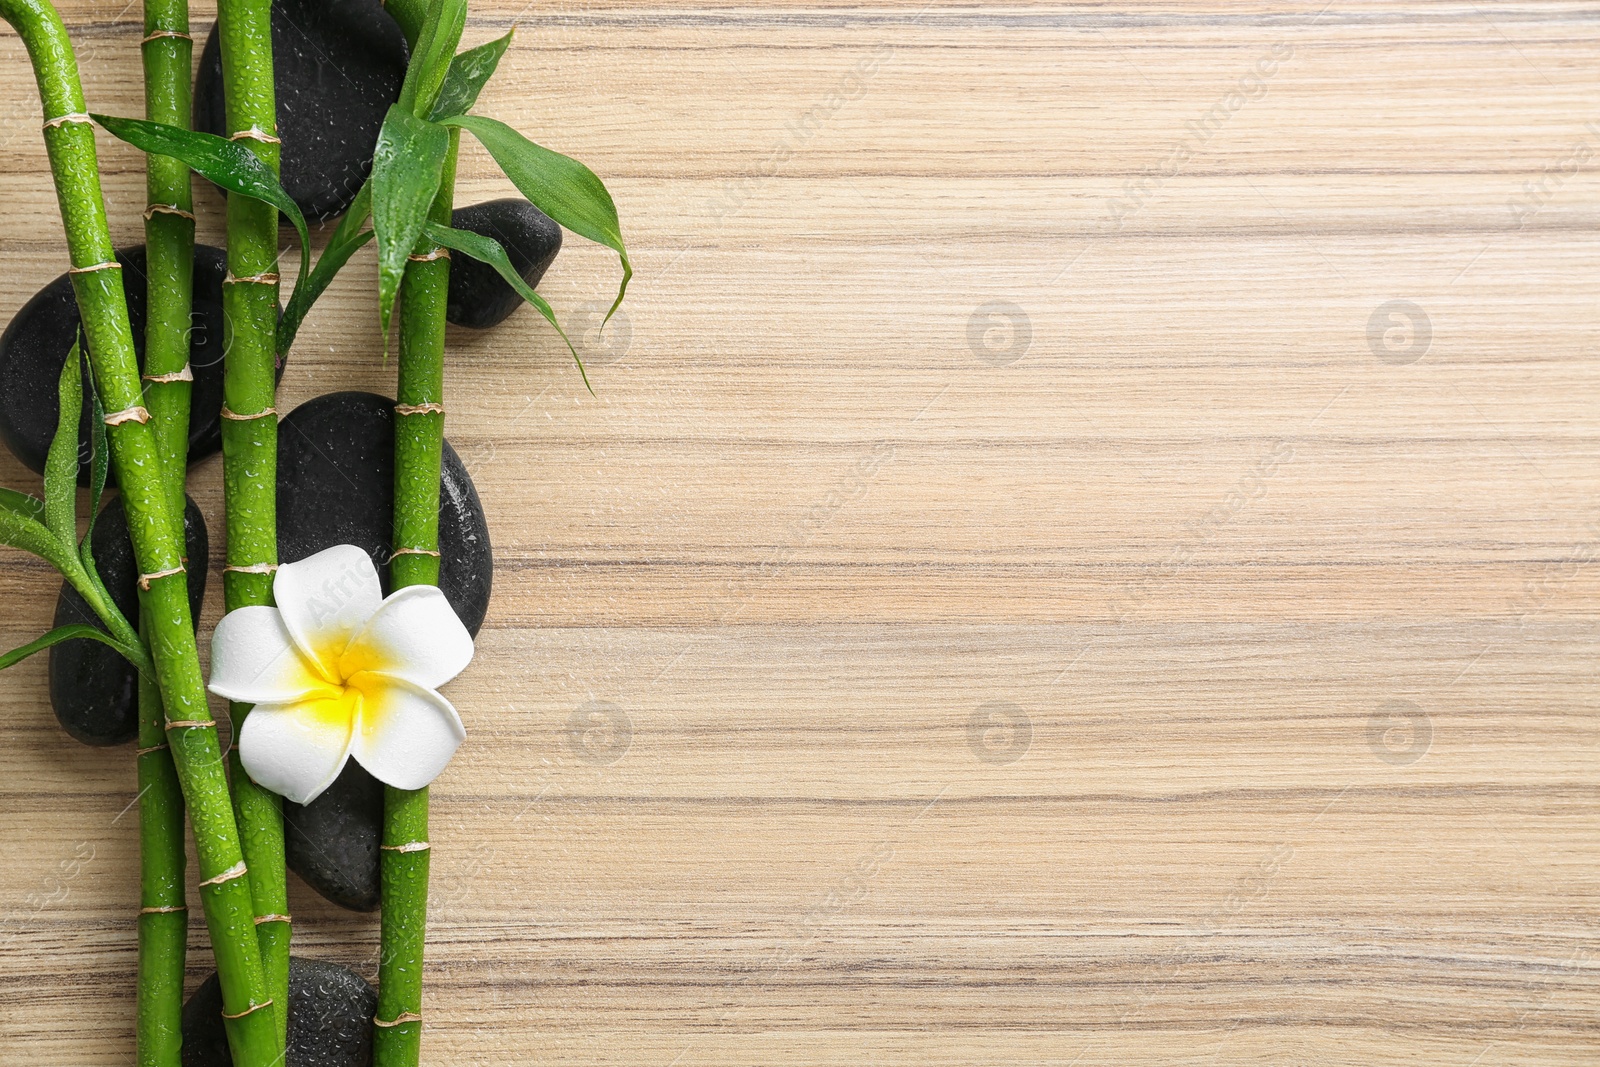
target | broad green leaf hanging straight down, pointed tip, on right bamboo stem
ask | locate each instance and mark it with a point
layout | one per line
(407, 167)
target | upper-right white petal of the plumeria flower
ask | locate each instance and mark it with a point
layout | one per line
(415, 636)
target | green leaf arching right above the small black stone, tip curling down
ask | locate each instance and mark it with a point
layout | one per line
(561, 186)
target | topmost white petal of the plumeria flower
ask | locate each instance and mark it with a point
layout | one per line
(326, 601)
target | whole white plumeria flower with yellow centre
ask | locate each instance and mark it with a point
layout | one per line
(337, 671)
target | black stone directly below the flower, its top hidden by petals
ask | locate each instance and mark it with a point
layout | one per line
(332, 844)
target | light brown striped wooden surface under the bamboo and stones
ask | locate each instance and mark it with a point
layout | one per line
(1022, 594)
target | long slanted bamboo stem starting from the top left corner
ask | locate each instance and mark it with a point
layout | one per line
(225, 887)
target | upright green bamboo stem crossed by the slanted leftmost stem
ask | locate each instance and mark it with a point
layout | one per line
(169, 239)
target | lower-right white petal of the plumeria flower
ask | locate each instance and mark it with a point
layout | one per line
(406, 733)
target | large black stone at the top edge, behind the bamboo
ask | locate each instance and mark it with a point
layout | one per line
(340, 66)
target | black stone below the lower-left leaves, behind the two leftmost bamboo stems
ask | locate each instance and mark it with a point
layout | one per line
(94, 690)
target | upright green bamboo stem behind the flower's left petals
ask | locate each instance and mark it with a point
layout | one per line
(250, 442)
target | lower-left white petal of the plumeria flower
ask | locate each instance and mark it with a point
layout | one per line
(298, 749)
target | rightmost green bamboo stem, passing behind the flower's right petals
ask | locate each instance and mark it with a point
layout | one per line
(420, 442)
